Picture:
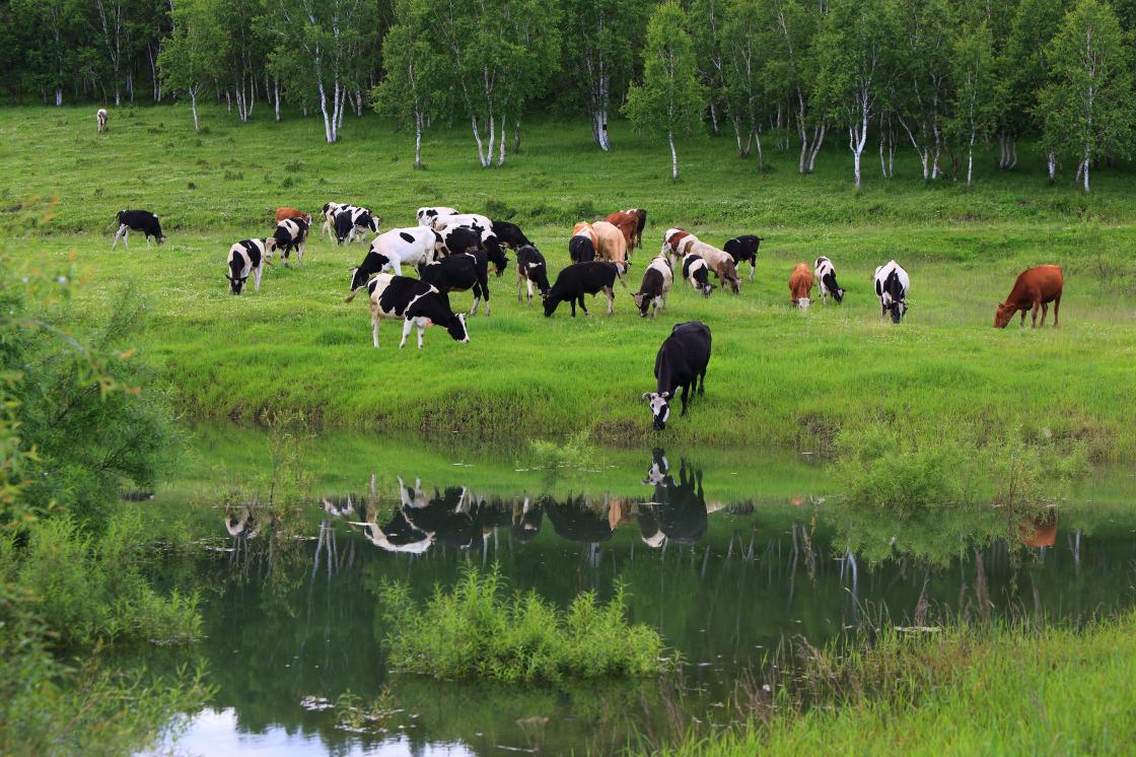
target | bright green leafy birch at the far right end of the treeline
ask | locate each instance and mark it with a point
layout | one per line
(1088, 104)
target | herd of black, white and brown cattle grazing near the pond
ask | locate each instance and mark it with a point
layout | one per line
(453, 252)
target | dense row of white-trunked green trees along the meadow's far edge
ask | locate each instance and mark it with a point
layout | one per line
(937, 76)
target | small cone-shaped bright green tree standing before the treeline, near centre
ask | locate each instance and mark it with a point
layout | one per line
(670, 101)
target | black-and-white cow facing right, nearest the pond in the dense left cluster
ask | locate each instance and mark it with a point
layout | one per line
(419, 304)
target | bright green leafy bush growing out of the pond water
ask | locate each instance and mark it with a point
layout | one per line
(478, 631)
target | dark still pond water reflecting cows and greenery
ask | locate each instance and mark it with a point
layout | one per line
(294, 622)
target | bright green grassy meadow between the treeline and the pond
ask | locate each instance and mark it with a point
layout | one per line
(779, 378)
